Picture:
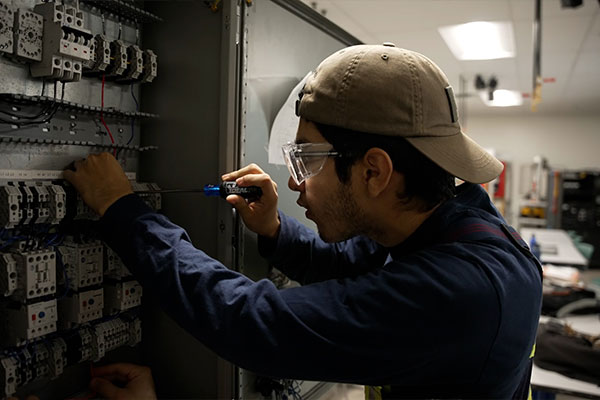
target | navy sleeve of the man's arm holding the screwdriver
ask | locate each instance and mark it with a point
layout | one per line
(300, 253)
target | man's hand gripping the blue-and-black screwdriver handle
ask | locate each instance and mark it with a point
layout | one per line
(260, 216)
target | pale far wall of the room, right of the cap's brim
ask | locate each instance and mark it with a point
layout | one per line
(567, 142)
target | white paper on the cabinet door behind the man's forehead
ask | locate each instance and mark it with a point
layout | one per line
(285, 125)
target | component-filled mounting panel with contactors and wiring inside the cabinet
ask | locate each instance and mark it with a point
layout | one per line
(71, 84)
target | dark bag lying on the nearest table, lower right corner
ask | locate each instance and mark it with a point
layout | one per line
(559, 348)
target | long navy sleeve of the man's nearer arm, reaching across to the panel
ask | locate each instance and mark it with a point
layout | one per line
(345, 330)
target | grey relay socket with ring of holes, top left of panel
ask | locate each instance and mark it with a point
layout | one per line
(29, 30)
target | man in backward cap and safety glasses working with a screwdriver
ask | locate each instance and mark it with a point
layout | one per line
(411, 283)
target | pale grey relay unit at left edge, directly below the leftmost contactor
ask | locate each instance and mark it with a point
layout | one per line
(30, 321)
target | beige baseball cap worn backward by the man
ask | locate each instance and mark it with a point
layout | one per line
(386, 90)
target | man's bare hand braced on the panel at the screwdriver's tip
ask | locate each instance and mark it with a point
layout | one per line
(100, 180)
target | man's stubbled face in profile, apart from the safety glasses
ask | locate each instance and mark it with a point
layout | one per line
(329, 203)
